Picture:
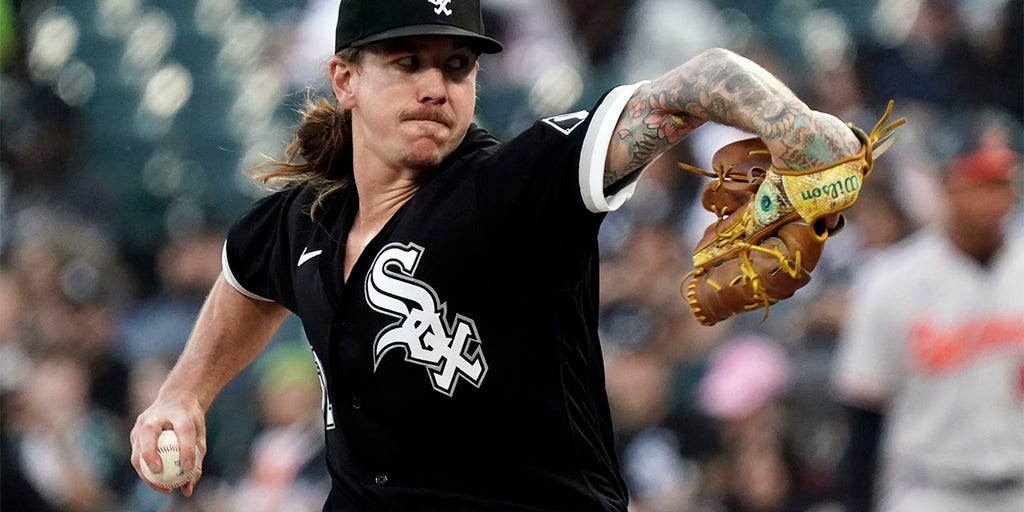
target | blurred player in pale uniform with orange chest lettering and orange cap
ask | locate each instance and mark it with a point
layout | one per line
(931, 361)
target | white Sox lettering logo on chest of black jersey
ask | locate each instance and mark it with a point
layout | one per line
(448, 352)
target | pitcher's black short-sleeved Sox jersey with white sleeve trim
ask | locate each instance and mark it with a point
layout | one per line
(460, 362)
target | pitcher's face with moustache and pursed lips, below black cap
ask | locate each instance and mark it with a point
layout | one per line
(412, 99)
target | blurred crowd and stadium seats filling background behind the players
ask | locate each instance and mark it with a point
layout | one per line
(111, 229)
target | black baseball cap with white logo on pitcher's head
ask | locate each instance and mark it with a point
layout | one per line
(365, 22)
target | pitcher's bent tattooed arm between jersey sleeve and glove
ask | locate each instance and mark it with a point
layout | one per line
(729, 90)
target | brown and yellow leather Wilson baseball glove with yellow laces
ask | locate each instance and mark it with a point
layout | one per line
(773, 224)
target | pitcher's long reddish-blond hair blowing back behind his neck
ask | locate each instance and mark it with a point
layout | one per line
(321, 152)
